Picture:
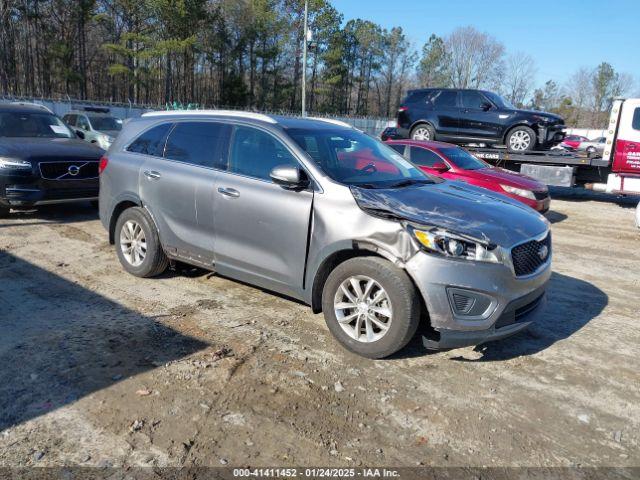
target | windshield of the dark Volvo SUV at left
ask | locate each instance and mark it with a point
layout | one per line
(32, 124)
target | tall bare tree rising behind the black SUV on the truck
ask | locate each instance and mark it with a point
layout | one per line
(476, 58)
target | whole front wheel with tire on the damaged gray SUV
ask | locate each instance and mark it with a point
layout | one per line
(371, 306)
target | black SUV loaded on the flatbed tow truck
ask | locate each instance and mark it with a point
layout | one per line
(476, 116)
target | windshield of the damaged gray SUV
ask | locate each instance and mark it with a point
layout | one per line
(353, 158)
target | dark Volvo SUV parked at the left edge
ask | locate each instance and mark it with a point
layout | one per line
(42, 161)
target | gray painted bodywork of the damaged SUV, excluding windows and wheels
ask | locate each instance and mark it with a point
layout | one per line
(279, 239)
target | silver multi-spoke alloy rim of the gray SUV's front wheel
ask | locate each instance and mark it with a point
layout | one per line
(363, 309)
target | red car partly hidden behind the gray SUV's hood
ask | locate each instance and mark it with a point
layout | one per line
(454, 163)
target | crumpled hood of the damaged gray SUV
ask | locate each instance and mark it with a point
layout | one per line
(456, 207)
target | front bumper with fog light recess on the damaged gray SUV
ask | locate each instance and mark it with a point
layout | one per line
(475, 302)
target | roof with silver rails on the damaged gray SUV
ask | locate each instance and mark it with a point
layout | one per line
(283, 121)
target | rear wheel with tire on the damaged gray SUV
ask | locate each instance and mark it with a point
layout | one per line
(138, 244)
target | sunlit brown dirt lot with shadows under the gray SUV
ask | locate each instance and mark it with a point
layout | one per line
(103, 369)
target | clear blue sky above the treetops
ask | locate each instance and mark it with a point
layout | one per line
(561, 36)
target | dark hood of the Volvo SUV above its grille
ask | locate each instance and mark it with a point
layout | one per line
(34, 148)
